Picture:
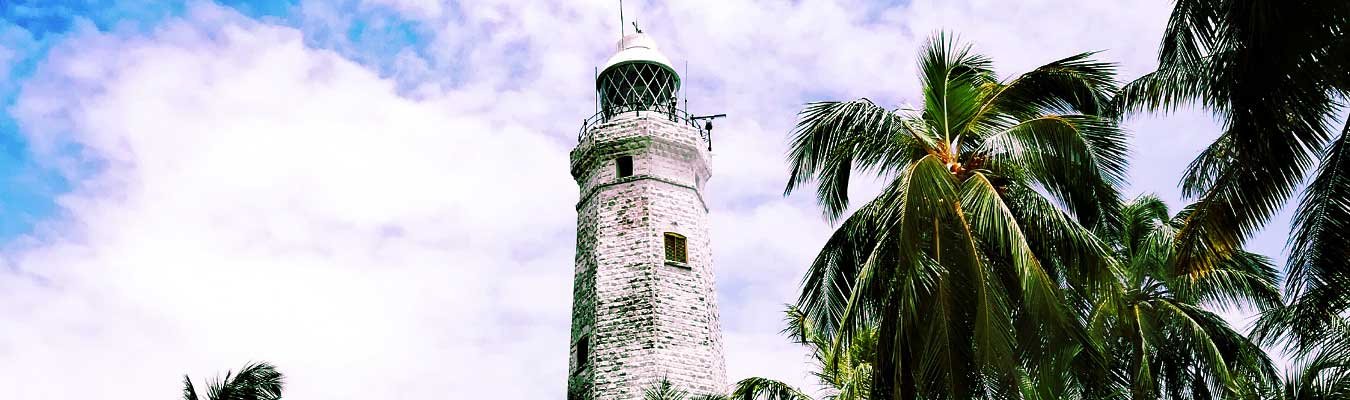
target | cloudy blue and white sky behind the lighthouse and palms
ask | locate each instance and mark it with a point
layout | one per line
(375, 195)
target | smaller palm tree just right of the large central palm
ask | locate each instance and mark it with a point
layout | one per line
(1152, 320)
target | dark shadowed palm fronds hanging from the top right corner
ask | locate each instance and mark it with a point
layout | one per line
(1272, 74)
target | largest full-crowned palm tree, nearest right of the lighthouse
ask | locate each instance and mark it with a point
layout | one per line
(961, 261)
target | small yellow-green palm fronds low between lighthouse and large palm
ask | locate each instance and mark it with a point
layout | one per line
(848, 376)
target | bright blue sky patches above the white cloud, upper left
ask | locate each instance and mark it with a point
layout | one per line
(29, 29)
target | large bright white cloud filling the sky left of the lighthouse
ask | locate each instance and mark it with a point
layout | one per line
(263, 201)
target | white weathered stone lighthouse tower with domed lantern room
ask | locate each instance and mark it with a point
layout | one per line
(645, 303)
